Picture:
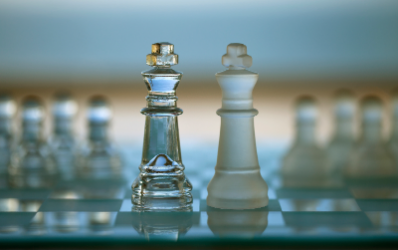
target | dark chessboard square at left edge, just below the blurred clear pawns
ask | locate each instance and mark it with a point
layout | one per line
(30, 194)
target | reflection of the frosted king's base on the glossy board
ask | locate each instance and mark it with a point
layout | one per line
(247, 223)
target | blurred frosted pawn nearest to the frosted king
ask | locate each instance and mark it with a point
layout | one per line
(304, 163)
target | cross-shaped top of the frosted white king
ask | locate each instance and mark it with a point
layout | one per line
(237, 57)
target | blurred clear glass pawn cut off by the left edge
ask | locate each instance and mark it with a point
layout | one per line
(7, 112)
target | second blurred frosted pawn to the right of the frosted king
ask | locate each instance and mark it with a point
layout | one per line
(343, 140)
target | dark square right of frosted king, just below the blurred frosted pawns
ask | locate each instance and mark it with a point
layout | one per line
(311, 193)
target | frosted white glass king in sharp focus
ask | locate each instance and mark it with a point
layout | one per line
(237, 183)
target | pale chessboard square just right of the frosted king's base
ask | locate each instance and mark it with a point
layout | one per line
(318, 205)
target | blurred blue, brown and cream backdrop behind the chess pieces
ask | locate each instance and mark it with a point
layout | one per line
(90, 47)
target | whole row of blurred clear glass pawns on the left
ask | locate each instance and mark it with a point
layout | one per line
(32, 160)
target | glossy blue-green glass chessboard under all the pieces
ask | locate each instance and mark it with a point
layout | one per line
(99, 212)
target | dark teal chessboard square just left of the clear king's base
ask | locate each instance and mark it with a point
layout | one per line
(81, 205)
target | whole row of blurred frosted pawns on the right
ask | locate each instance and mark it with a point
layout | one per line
(366, 157)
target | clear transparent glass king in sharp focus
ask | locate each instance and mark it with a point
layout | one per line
(161, 184)
